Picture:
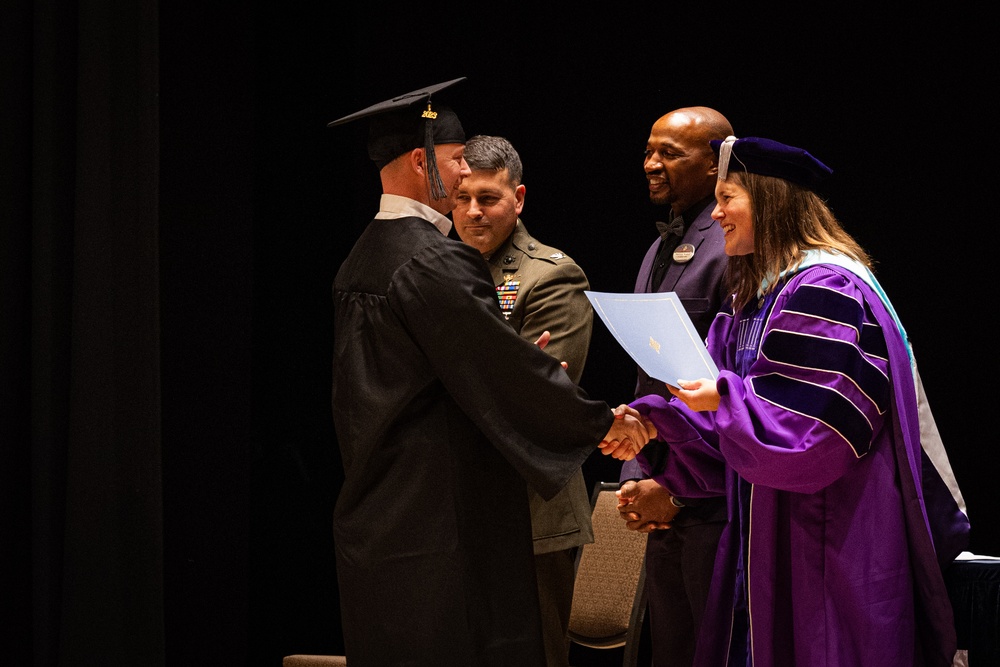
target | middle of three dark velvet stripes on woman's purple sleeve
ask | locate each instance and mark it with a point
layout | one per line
(827, 354)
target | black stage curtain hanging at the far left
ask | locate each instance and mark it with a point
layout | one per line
(125, 290)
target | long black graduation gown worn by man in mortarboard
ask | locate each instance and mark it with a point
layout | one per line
(442, 412)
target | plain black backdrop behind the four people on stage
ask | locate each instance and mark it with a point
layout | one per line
(176, 208)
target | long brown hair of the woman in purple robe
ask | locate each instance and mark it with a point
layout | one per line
(788, 219)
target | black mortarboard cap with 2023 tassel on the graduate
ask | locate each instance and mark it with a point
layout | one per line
(409, 121)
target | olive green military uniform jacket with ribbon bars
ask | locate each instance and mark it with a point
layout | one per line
(541, 288)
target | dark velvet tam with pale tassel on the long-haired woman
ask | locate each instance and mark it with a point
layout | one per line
(770, 158)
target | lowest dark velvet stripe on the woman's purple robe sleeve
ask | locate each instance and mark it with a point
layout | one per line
(822, 404)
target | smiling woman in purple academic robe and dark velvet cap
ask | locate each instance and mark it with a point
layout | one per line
(840, 522)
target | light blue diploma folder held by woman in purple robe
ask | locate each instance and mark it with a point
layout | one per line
(657, 333)
